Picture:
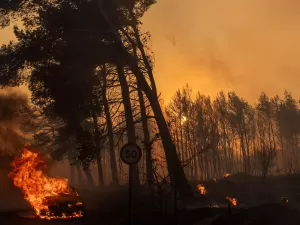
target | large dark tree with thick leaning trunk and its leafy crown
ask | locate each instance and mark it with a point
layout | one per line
(61, 43)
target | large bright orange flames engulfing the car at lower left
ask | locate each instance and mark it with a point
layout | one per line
(38, 188)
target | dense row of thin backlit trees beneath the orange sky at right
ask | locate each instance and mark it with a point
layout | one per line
(229, 135)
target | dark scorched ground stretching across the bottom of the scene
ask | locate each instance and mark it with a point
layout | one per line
(261, 203)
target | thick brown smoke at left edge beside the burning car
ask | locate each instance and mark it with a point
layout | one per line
(14, 112)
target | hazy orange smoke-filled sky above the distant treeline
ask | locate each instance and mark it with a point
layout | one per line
(242, 45)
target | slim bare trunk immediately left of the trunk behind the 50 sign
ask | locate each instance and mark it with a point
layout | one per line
(112, 155)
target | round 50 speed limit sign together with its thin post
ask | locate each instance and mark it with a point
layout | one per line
(130, 154)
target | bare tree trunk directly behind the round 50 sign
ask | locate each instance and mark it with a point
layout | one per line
(129, 118)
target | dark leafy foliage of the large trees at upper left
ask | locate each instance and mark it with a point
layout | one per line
(62, 44)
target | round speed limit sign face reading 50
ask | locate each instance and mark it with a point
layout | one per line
(131, 154)
